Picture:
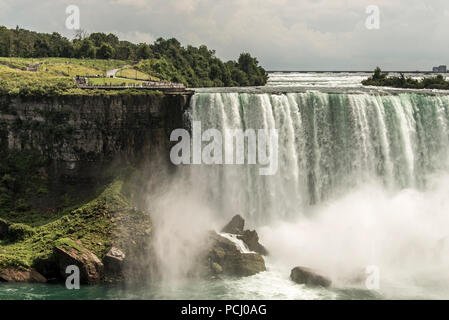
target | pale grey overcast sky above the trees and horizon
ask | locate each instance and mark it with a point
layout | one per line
(283, 34)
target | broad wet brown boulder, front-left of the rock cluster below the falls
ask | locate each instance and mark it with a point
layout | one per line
(224, 258)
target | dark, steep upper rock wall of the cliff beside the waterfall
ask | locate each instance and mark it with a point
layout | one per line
(79, 134)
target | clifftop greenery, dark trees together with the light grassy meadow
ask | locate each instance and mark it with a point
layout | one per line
(165, 59)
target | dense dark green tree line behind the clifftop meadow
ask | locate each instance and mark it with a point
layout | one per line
(165, 58)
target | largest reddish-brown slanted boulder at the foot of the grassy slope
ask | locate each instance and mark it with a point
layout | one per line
(69, 252)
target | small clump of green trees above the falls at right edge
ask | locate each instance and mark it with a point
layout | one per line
(382, 79)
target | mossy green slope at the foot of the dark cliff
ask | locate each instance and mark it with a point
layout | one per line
(97, 224)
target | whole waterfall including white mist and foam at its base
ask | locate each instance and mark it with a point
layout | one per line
(362, 181)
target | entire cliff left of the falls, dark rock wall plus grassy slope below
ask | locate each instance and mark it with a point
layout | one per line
(62, 176)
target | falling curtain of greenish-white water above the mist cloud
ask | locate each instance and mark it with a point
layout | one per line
(329, 143)
